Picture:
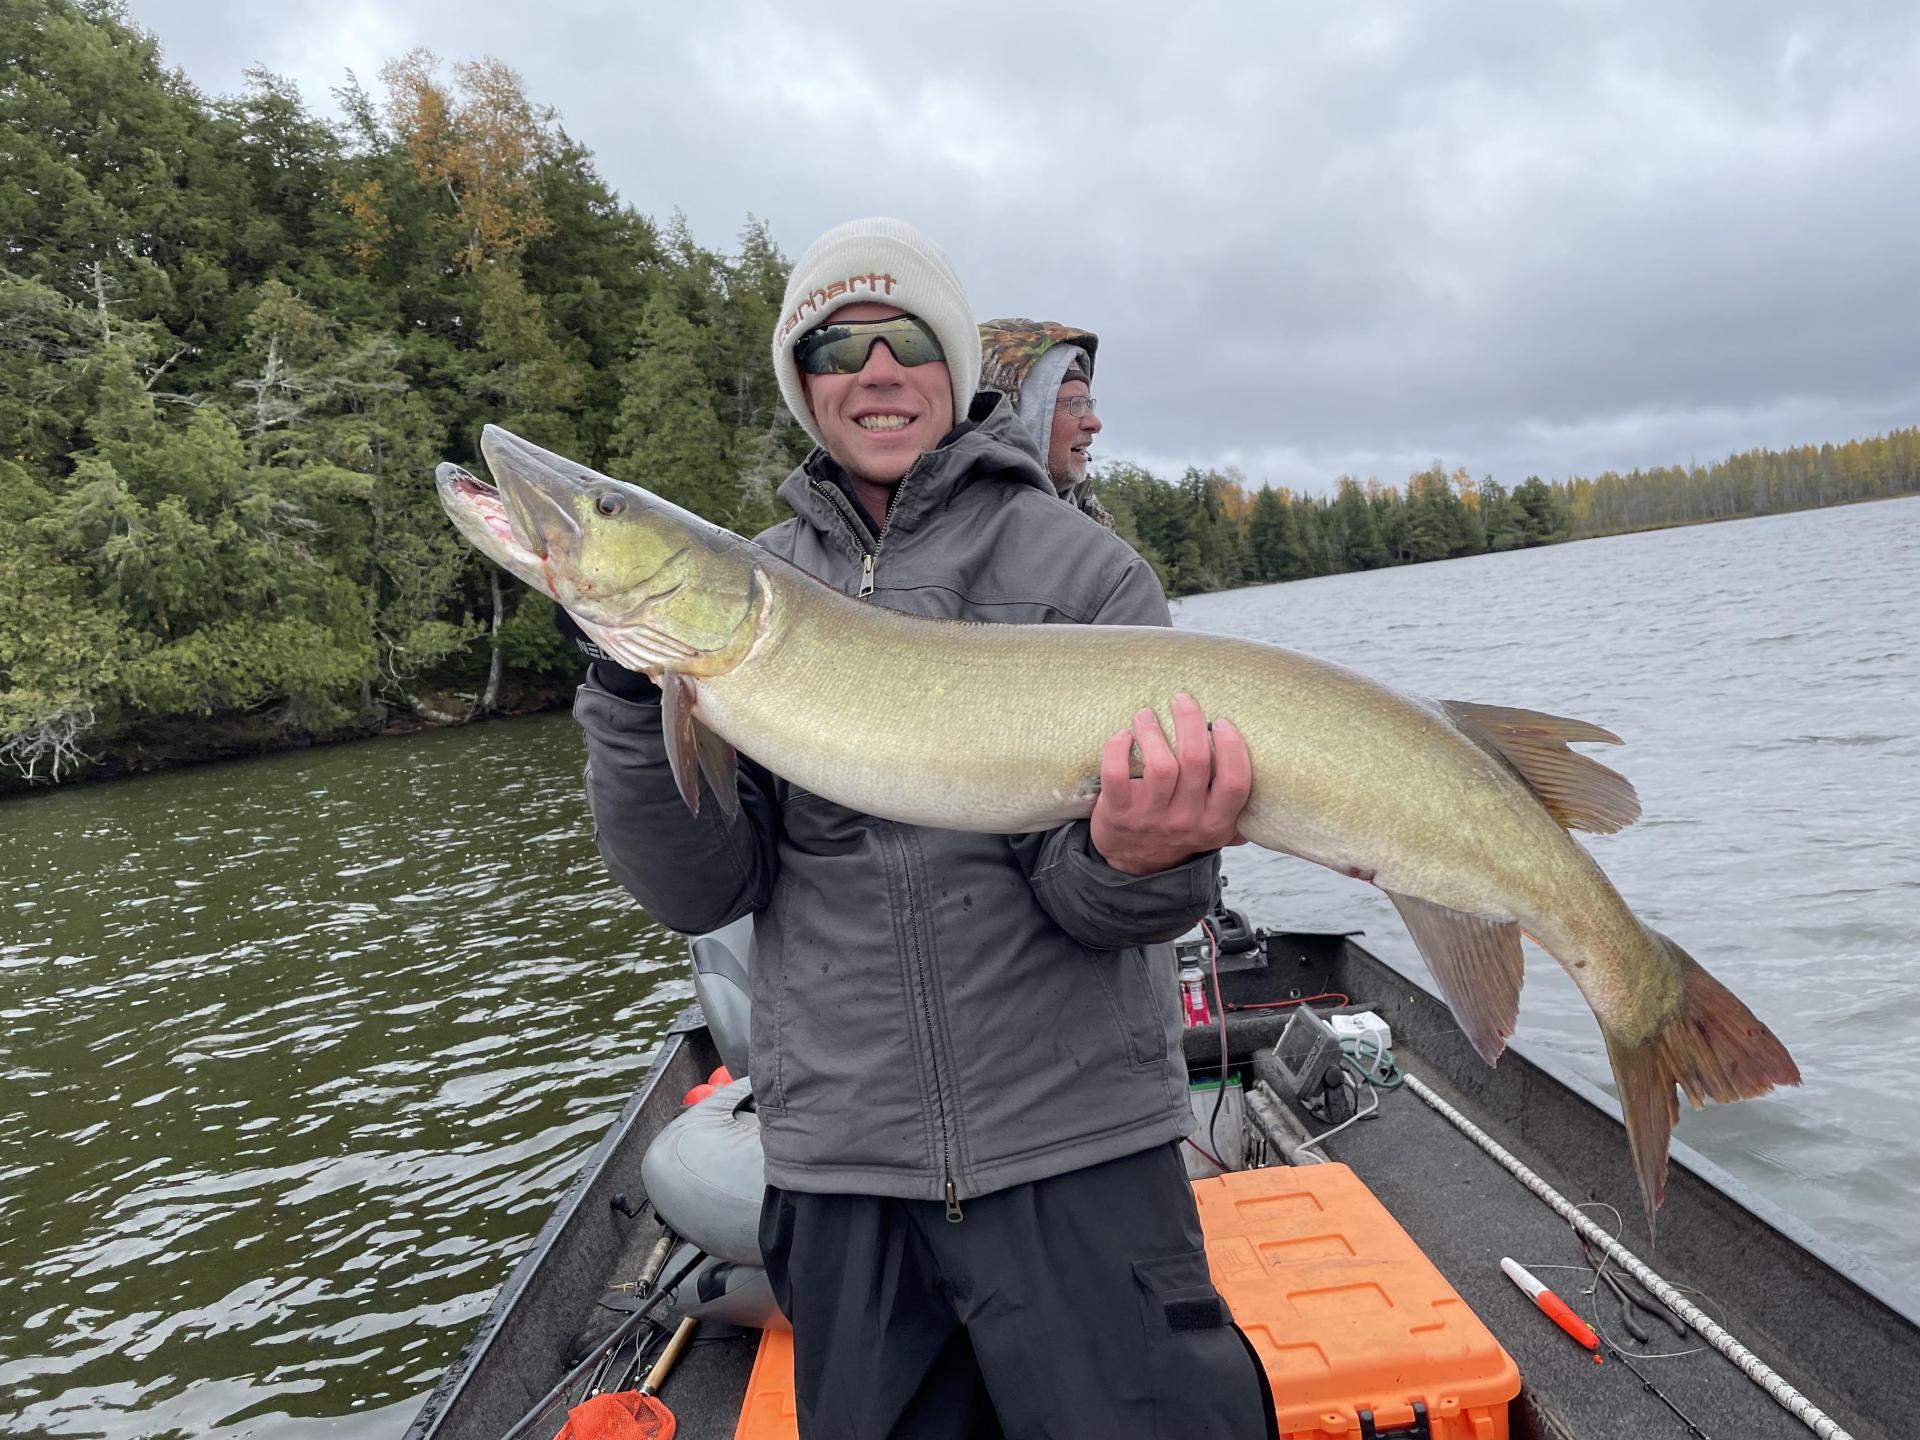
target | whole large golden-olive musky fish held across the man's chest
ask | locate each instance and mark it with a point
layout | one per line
(1458, 811)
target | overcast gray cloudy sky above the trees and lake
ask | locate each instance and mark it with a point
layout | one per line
(1314, 239)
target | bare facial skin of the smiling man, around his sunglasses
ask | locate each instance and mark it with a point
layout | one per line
(880, 421)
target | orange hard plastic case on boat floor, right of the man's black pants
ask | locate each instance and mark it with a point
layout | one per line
(1347, 1312)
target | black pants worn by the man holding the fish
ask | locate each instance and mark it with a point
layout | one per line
(1070, 1308)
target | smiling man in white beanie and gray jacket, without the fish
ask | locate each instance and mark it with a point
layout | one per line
(967, 1055)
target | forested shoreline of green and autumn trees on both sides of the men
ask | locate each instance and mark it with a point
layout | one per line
(235, 339)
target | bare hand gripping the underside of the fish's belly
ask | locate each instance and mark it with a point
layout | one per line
(1186, 802)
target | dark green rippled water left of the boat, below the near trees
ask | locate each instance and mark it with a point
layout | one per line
(297, 1082)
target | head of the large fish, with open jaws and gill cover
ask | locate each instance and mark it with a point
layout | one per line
(658, 587)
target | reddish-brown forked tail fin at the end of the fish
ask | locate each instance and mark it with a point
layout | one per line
(1714, 1049)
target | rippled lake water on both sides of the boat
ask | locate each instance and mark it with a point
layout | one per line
(299, 1053)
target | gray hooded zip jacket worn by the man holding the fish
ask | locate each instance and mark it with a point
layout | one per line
(936, 1015)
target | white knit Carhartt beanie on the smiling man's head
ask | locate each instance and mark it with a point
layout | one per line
(890, 264)
